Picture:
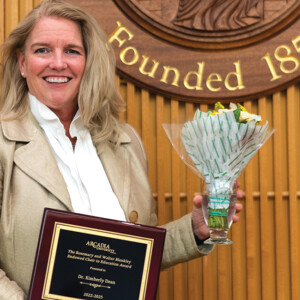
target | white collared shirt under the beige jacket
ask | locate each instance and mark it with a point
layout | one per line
(81, 168)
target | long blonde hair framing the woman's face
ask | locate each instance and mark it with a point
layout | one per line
(98, 99)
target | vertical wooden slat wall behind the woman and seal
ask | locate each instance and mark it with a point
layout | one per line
(263, 263)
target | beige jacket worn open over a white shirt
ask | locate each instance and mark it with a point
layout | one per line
(30, 181)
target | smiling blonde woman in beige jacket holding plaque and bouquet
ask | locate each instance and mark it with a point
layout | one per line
(61, 145)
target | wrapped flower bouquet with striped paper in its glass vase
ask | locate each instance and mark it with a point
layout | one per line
(217, 145)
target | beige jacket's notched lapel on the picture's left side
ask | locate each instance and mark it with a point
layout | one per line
(34, 156)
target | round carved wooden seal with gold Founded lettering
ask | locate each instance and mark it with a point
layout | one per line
(203, 50)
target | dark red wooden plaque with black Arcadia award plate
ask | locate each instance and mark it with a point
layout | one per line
(85, 257)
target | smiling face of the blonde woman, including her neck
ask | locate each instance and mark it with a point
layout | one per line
(53, 63)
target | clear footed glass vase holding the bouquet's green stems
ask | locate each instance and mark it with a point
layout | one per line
(218, 211)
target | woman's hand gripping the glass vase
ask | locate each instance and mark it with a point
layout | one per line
(199, 226)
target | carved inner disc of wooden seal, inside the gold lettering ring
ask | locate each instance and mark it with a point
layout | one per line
(211, 24)
